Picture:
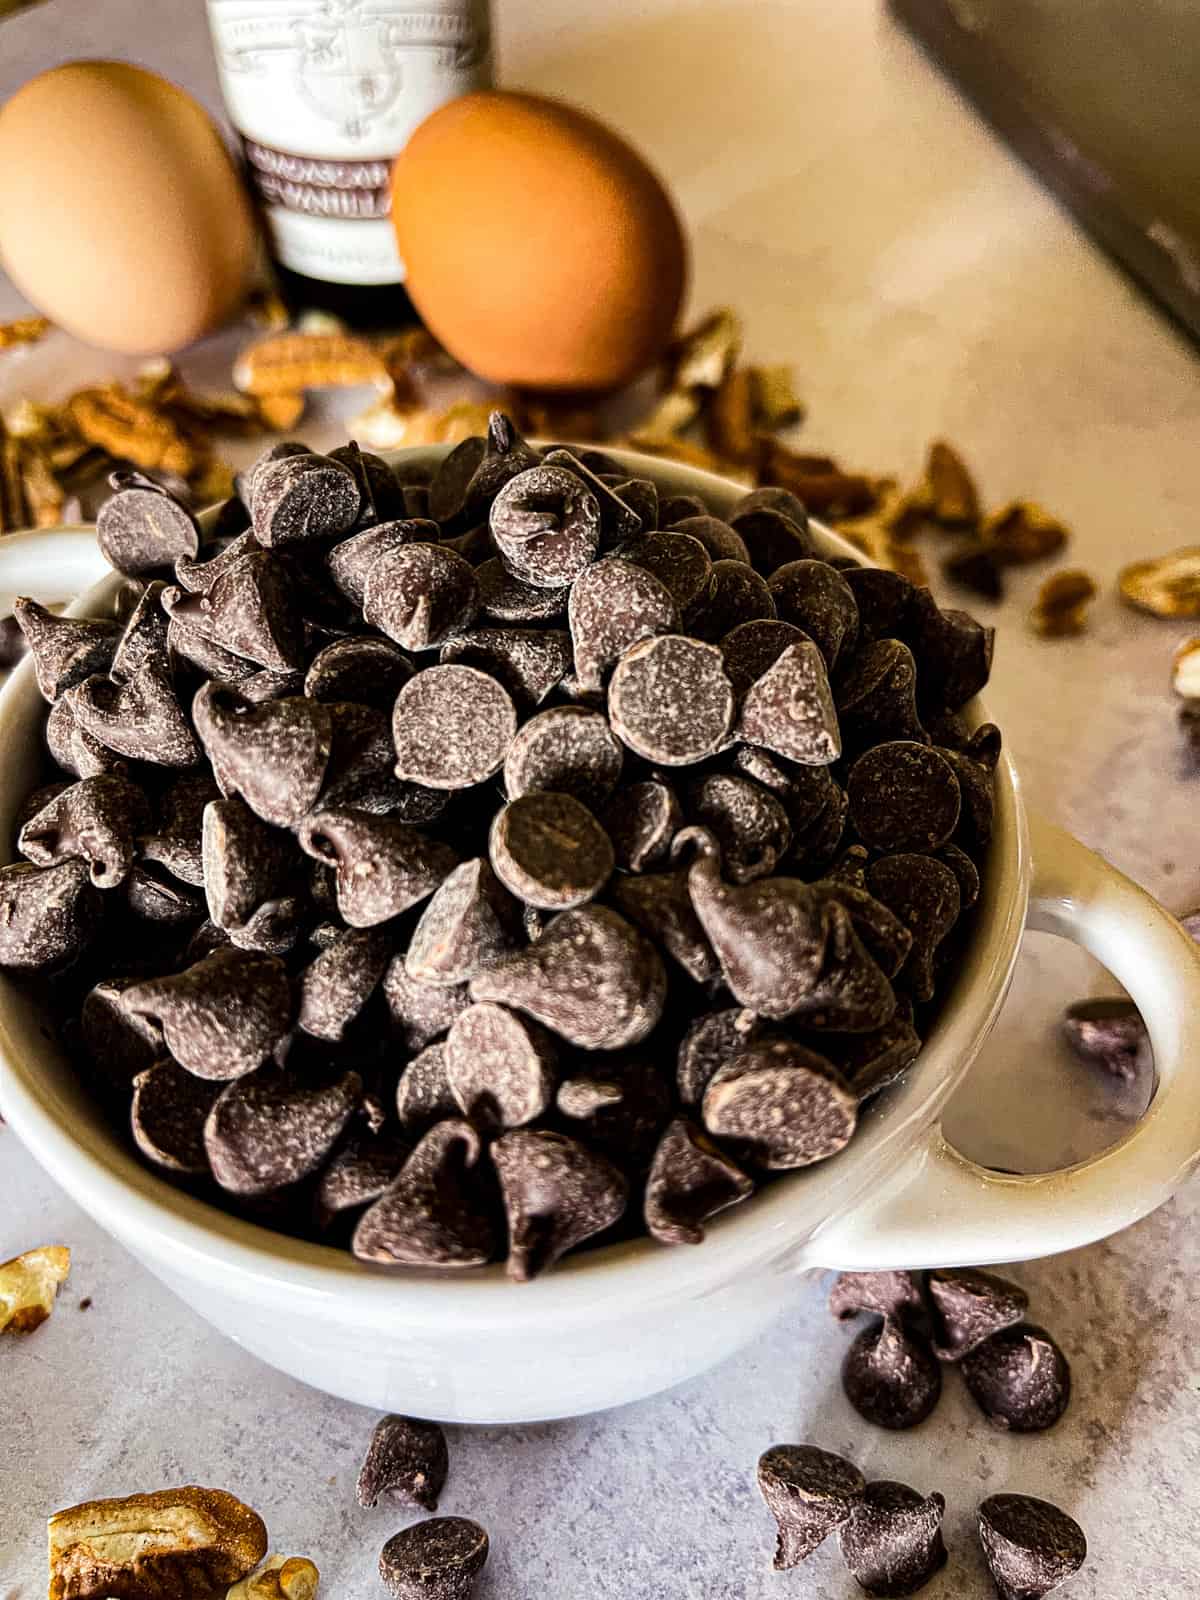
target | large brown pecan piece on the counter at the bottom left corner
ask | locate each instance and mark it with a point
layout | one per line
(174, 1545)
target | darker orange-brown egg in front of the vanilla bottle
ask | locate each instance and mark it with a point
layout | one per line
(540, 247)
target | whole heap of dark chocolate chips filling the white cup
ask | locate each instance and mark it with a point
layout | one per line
(471, 866)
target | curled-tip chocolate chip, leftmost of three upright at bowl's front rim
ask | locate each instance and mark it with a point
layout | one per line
(431, 1217)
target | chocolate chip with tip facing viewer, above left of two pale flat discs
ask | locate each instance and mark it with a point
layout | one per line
(420, 594)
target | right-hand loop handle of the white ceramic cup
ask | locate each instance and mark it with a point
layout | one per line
(940, 1209)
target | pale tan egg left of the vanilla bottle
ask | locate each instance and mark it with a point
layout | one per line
(122, 217)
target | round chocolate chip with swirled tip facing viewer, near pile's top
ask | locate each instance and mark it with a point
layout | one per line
(546, 526)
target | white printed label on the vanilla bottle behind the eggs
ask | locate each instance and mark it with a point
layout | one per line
(326, 94)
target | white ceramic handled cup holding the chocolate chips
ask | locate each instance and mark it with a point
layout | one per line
(623, 1322)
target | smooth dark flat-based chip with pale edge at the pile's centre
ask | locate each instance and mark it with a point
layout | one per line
(550, 850)
